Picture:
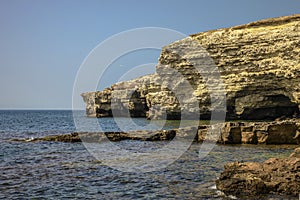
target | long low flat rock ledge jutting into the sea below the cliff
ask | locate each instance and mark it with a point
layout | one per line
(273, 132)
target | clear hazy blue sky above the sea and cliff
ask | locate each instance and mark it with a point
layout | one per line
(43, 43)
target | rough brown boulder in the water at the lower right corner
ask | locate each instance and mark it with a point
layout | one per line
(274, 176)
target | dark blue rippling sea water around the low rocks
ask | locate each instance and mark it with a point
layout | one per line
(58, 170)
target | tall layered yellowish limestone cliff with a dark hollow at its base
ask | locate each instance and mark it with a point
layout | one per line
(258, 64)
